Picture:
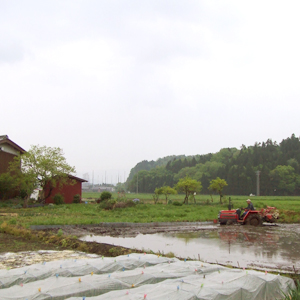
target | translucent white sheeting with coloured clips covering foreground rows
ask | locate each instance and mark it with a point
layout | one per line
(138, 276)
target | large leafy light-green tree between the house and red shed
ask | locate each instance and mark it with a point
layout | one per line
(42, 166)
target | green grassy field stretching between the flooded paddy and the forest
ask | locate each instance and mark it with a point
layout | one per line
(145, 211)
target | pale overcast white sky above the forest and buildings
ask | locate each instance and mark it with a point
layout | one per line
(116, 82)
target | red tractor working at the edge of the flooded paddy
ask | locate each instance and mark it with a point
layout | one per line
(252, 217)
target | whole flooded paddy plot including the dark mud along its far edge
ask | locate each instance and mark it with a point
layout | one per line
(270, 247)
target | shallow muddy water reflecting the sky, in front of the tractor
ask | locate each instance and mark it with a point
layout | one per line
(267, 247)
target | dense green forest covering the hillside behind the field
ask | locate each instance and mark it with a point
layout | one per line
(278, 165)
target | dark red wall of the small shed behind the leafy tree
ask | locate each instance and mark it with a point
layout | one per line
(67, 190)
